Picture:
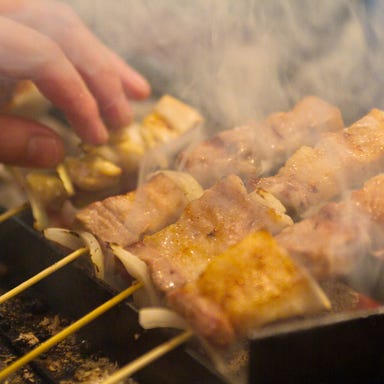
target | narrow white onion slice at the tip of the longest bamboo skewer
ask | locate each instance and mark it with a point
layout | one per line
(137, 269)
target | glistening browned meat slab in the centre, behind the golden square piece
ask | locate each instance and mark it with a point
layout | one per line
(222, 216)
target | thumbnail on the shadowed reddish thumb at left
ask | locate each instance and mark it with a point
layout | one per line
(43, 151)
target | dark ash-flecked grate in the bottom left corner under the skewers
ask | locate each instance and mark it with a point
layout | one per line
(27, 321)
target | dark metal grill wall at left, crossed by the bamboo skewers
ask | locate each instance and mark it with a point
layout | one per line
(72, 292)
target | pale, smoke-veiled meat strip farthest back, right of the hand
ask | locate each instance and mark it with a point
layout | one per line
(256, 149)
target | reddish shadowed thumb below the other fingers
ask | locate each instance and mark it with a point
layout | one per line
(27, 143)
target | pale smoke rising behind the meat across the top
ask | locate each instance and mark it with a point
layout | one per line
(241, 60)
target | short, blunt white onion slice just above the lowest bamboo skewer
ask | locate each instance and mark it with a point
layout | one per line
(161, 318)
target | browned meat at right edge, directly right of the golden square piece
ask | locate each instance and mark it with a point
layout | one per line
(332, 241)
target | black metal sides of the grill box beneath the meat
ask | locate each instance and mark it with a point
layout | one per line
(332, 349)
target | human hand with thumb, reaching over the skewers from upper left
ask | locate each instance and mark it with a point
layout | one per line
(45, 41)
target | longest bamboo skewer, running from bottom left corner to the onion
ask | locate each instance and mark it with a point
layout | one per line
(69, 330)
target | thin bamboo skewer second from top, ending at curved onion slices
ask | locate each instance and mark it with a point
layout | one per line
(41, 275)
